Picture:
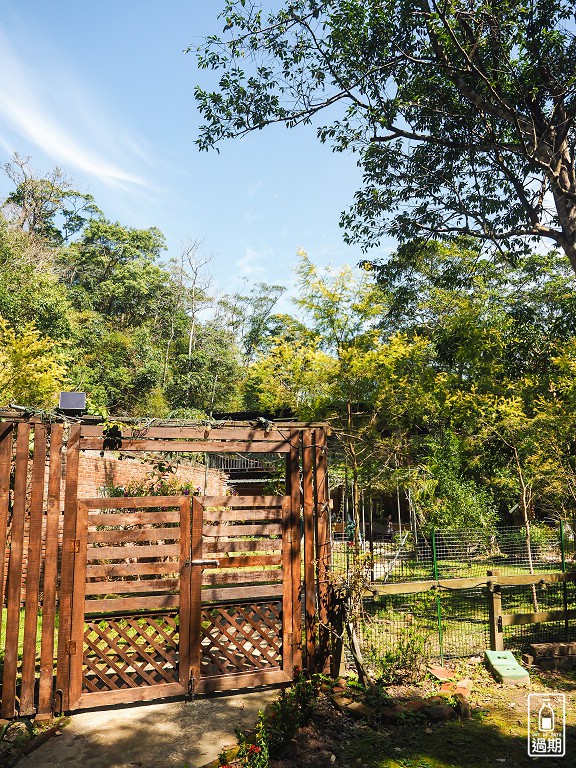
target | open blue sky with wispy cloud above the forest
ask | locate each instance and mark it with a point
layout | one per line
(105, 91)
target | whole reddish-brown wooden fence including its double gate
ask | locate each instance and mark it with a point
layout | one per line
(64, 582)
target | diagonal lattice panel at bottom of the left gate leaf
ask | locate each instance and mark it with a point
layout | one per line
(121, 653)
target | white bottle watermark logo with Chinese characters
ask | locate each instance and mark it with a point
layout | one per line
(546, 725)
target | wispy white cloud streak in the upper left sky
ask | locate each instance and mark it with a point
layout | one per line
(53, 112)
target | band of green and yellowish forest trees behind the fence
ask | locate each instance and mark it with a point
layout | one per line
(442, 373)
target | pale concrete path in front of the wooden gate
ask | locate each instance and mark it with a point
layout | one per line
(171, 734)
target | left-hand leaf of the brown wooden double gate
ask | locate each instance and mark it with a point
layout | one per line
(130, 601)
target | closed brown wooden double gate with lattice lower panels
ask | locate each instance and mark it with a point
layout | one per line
(165, 602)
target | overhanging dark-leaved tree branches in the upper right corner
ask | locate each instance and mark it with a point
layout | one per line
(462, 114)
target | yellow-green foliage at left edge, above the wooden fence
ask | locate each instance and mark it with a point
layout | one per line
(32, 370)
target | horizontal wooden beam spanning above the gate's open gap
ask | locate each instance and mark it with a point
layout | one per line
(190, 446)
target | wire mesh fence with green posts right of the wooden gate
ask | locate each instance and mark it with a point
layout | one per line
(454, 621)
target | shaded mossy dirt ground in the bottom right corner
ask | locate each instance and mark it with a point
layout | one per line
(494, 735)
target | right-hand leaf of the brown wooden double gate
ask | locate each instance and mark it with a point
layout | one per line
(243, 613)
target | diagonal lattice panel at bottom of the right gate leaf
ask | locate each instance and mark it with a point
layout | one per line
(241, 638)
